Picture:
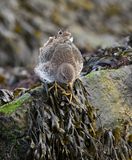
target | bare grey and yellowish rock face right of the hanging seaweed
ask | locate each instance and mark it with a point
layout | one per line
(111, 94)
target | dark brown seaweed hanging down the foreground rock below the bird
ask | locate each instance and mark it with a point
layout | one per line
(60, 129)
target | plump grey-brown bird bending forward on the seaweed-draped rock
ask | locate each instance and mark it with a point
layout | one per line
(59, 60)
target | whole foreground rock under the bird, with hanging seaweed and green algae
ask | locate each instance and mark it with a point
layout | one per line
(44, 123)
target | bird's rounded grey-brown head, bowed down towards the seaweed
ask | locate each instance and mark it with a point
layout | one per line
(66, 73)
